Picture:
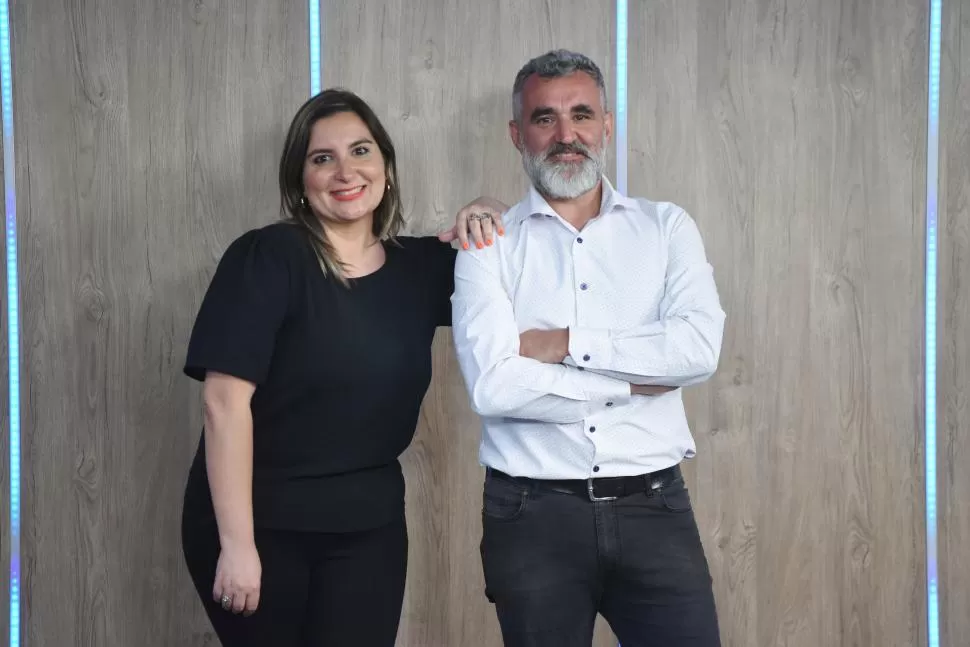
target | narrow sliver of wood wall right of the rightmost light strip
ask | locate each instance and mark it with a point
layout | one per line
(953, 373)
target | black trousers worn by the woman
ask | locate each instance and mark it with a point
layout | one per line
(317, 589)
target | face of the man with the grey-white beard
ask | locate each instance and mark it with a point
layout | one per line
(563, 134)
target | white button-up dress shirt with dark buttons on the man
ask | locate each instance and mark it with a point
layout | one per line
(637, 294)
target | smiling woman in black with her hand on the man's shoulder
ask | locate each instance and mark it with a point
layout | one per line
(314, 345)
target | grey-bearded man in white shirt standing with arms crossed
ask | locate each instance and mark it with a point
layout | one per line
(575, 334)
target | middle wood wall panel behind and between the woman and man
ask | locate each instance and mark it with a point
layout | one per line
(439, 74)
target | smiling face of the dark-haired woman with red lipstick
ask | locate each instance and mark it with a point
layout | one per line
(343, 171)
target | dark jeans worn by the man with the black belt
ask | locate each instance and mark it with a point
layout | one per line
(554, 560)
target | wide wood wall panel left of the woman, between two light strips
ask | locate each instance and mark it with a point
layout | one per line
(148, 134)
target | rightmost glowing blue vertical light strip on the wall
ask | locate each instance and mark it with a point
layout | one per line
(932, 195)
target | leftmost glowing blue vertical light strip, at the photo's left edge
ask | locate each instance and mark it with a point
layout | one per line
(13, 317)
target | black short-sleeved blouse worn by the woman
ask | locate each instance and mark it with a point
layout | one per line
(340, 374)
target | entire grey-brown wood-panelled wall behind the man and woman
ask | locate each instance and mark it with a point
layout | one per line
(147, 138)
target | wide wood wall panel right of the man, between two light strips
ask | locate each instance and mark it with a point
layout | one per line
(793, 133)
